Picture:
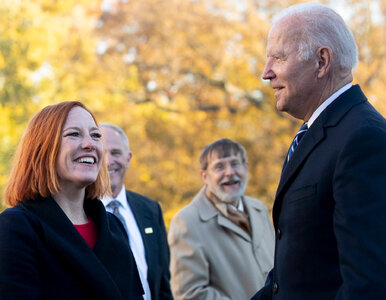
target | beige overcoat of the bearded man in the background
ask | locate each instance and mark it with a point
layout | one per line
(212, 258)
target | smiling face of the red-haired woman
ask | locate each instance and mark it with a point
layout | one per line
(80, 154)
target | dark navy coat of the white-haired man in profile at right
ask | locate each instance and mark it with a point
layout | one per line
(330, 209)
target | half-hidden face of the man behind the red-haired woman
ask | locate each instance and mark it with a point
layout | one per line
(118, 158)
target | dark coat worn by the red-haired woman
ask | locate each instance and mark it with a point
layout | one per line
(42, 255)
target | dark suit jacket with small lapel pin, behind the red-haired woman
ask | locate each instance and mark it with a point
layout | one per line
(150, 222)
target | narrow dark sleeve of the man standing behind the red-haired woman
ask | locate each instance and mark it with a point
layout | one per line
(165, 292)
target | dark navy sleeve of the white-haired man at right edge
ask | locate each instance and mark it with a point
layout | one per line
(360, 214)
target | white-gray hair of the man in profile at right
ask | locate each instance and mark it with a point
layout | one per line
(322, 26)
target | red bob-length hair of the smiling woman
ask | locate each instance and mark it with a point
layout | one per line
(33, 171)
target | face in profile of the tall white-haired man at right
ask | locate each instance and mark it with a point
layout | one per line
(294, 80)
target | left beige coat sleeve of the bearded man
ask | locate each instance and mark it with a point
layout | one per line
(188, 264)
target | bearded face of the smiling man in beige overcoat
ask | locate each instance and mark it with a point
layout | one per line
(226, 177)
